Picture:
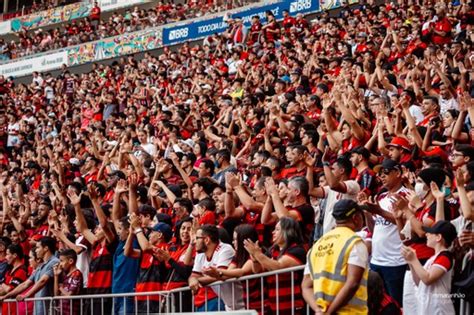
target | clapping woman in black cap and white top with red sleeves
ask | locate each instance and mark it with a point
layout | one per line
(434, 278)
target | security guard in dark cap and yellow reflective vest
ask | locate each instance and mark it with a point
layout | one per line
(336, 272)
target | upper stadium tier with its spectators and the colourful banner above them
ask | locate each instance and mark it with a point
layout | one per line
(82, 26)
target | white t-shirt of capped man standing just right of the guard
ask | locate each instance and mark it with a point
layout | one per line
(386, 241)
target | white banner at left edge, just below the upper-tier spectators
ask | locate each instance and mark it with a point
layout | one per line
(28, 66)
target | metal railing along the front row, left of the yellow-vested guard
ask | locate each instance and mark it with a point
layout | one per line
(232, 294)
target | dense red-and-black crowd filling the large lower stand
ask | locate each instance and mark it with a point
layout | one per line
(233, 157)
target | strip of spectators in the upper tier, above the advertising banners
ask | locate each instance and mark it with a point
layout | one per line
(95, 28)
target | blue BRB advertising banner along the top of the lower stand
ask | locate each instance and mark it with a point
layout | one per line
(200, 29)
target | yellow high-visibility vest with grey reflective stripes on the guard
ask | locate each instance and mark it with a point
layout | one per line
(328, 266)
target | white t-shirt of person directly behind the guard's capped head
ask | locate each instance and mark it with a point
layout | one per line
(332, 197)
